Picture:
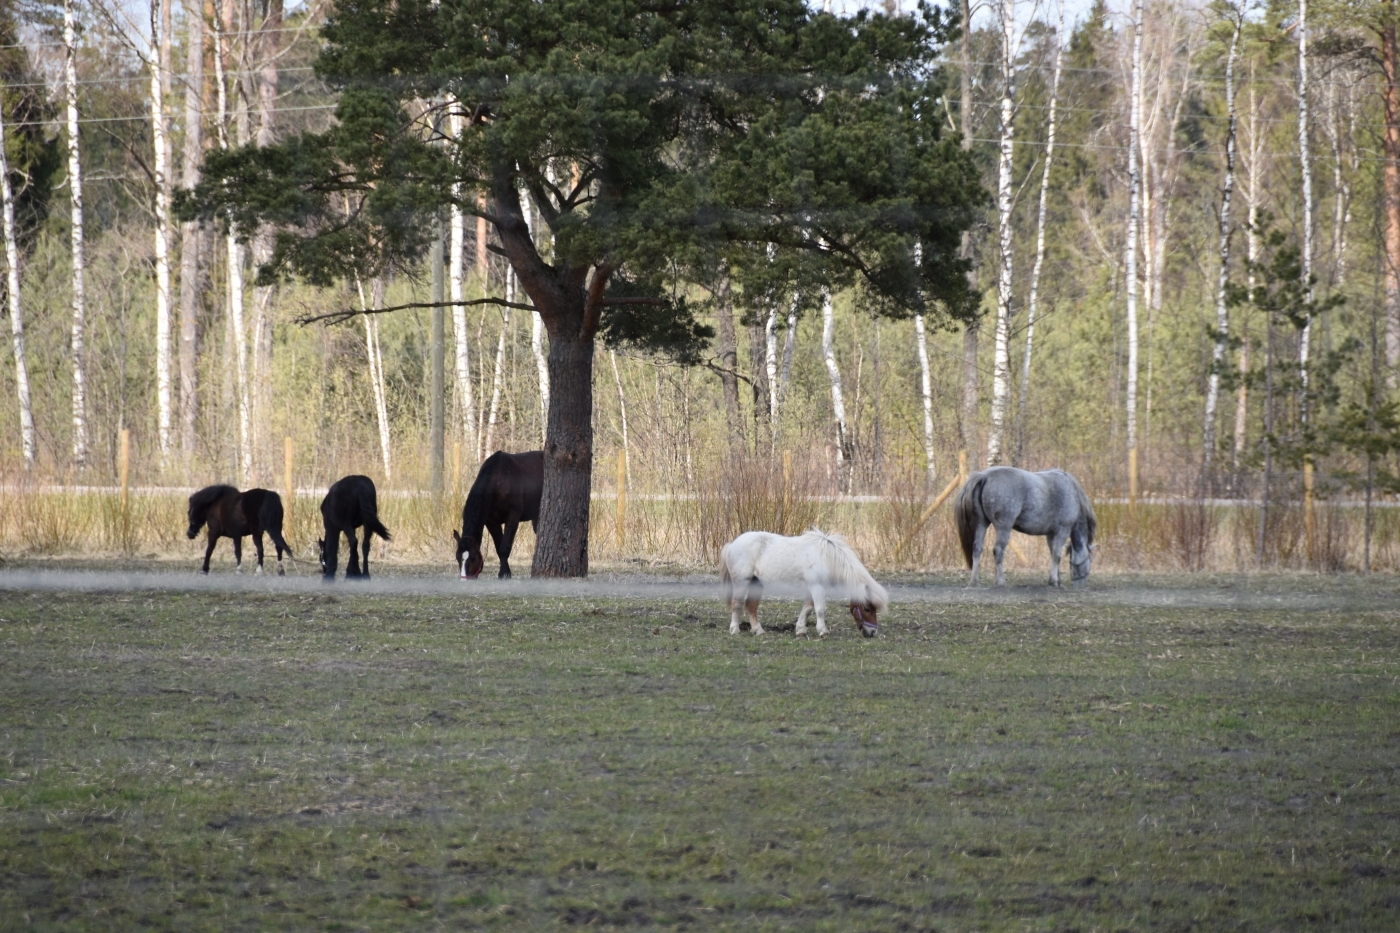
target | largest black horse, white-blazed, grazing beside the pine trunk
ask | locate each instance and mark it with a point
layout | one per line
(506, 494)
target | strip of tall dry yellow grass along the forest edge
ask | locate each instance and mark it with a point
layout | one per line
(684, 526)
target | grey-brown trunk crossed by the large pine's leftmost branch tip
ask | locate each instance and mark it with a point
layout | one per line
(191, 233)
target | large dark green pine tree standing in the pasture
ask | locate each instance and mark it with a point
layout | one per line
(657, 141)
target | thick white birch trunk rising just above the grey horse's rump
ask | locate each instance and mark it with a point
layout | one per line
(1002, 352)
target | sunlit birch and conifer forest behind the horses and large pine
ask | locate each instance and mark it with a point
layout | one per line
(1191, 267)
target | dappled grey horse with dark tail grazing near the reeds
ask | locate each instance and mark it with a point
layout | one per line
(1051, 504)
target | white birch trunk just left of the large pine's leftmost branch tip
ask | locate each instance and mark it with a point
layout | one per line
(160, 135)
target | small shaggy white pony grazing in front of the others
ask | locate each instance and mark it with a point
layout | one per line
(814, 565)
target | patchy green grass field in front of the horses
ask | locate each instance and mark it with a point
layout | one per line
(1157, 753)
